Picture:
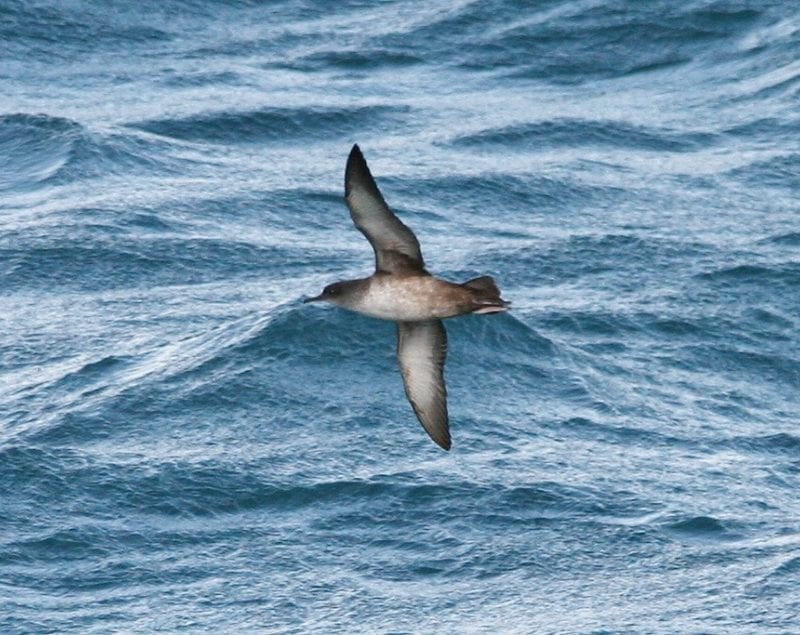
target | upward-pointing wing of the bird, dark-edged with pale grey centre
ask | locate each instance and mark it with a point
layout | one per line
(396, 247)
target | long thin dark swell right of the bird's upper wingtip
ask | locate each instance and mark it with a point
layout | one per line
(580, 132)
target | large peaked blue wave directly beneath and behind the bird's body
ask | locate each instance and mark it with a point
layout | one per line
(257, 361)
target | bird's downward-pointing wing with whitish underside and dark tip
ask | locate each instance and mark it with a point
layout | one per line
(421, 349)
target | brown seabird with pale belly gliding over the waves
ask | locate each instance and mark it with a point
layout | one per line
(402, 290)
